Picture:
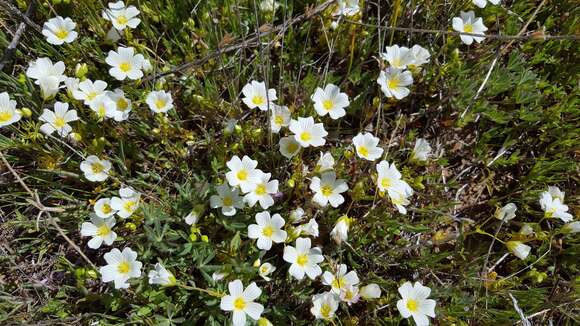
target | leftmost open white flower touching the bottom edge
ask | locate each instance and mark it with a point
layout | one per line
(241, 302)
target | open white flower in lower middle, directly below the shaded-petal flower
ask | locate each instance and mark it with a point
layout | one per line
(303, 259)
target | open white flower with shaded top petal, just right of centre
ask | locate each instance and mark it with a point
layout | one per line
(328, 189)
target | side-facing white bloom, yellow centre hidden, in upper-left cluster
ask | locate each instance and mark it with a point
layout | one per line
(47, 75)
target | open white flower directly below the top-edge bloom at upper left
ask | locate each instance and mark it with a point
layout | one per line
(125, 63)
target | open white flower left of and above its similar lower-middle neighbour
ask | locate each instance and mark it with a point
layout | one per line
(267, 230)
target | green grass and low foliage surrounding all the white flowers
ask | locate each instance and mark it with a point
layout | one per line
(529, 107)
